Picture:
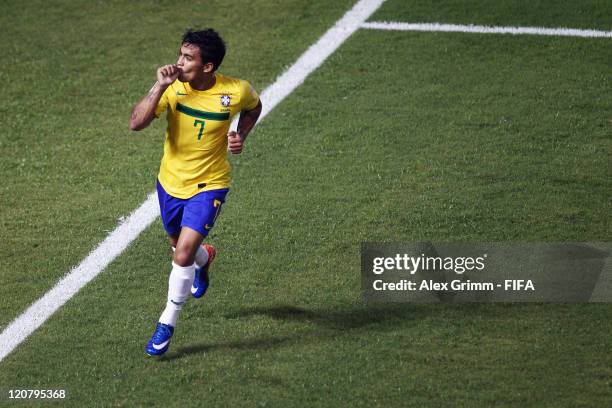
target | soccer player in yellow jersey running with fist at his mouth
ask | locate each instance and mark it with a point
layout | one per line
(194, 175)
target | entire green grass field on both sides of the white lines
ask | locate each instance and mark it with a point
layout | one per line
(398, 136)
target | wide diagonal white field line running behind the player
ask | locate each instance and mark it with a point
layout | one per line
(35, 315)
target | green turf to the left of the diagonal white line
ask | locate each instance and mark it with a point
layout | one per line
(70, 74)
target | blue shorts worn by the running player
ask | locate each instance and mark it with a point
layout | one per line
(198, 212)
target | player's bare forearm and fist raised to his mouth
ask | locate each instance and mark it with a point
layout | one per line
(144, 111)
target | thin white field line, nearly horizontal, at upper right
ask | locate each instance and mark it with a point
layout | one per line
(454, 28)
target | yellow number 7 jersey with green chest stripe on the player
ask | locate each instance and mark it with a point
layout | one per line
(195, 147)
